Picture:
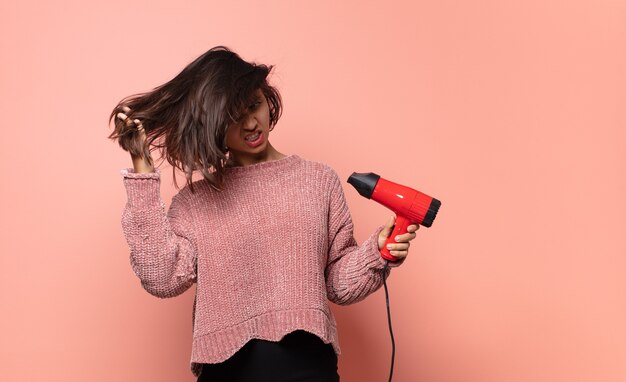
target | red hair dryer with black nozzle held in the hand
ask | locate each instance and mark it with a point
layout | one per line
(409, 205)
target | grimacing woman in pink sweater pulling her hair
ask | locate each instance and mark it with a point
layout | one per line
(267, 237)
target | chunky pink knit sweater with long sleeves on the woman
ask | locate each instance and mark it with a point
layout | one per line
(267, 252)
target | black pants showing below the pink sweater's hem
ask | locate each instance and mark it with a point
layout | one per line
(298, 357)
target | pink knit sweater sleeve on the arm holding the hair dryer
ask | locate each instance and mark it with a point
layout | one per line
(353, 271)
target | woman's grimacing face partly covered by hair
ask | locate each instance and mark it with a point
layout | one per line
(247, 140)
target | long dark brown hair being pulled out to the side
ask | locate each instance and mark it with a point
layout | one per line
(187, 117)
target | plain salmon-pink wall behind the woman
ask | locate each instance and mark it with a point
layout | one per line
(510, 112)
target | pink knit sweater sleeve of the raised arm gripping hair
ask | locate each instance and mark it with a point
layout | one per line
(162, 245)
